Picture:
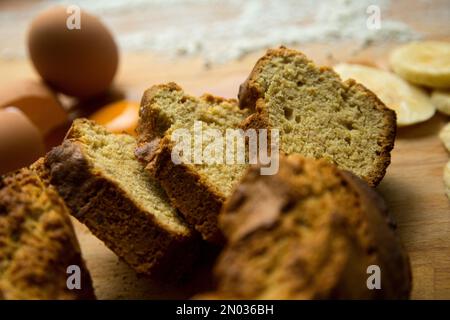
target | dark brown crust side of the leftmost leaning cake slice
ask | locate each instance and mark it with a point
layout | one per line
(132, 233)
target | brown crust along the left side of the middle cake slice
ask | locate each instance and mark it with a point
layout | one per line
(199, 202)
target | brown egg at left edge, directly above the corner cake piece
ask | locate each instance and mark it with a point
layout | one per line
(20, 141)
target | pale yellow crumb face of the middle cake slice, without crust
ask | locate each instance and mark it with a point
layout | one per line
(166, 108)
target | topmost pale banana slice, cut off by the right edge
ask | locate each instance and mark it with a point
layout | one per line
(426, 63)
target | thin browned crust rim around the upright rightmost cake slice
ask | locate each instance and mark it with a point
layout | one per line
(251, 95)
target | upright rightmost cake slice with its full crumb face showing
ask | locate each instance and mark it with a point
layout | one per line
(318, 115)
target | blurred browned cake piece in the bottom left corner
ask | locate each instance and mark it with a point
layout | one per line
(37, 242)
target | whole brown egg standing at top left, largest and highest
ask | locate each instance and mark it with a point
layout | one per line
(78, 62)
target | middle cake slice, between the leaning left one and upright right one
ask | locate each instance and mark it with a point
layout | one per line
(197, 190)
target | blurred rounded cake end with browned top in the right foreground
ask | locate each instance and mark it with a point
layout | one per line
(312, 231)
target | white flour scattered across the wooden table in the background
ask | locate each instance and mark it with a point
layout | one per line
(220, 31)
